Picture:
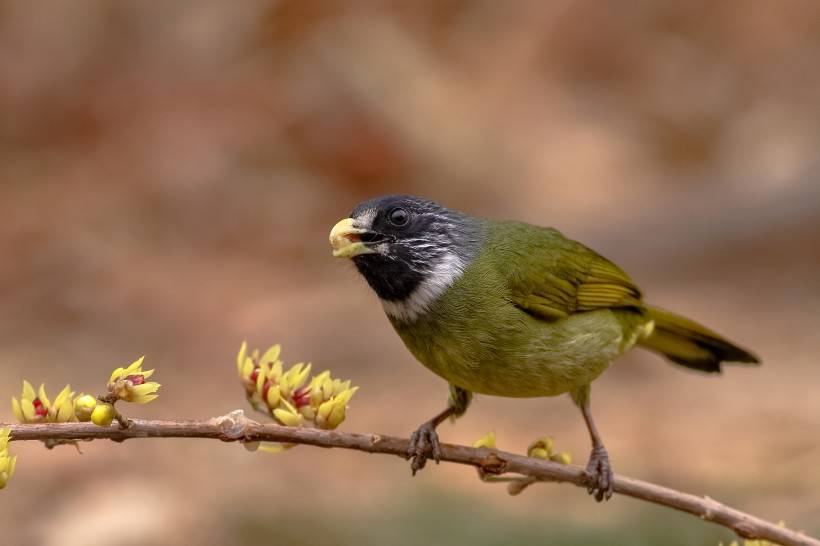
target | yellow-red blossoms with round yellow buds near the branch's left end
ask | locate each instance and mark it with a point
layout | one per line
(127, 384)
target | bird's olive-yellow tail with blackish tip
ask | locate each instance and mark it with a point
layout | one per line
(689, 344)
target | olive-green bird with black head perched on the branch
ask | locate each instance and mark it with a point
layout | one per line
(507, 308)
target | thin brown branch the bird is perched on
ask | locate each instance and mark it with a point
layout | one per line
(237, 427)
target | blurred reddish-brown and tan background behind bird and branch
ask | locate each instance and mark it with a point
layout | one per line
(169, 172)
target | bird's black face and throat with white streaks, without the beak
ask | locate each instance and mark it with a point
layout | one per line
(410, 236)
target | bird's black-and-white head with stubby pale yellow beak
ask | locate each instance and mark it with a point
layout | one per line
(410, 250)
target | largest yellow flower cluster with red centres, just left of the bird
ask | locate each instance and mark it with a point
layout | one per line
(287, 395)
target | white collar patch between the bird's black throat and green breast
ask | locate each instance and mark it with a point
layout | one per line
(447, 270)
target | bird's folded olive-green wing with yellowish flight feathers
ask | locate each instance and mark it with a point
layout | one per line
(556, 277)
